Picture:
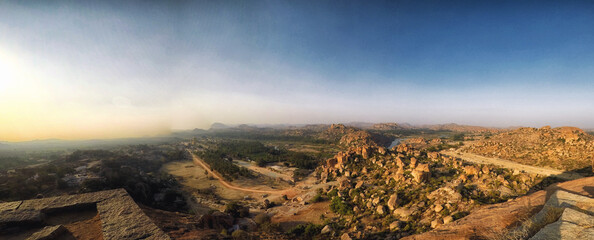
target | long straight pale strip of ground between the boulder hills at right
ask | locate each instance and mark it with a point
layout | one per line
(511, 165)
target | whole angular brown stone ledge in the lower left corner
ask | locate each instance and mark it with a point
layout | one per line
(120, 217)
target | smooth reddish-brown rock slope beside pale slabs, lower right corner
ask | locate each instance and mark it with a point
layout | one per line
(503, 217)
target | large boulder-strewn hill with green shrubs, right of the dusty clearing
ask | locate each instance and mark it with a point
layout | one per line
(392, 193)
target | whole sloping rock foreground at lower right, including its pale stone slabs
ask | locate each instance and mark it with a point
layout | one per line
(534, 216)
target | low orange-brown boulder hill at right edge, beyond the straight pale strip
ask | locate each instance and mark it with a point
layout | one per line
(564, 148)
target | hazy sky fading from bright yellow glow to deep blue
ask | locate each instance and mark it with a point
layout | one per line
(84, 69)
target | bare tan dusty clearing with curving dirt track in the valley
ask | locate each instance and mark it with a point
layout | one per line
(288, 212)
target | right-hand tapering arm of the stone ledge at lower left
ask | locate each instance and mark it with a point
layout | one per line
(121, 219)
